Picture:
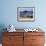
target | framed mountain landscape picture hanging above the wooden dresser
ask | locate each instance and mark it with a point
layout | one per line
(26, 14)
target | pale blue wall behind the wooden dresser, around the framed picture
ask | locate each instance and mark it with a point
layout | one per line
(9, 13)
